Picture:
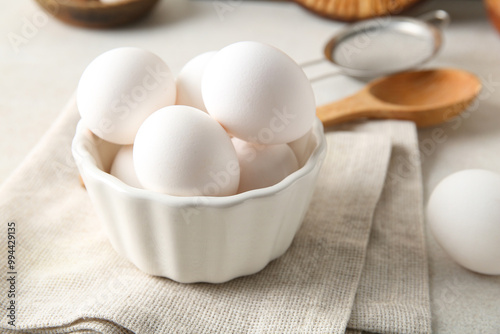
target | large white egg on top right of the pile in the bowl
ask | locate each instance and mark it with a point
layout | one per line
(258, 93)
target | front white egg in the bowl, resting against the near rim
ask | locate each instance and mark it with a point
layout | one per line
(181, 150)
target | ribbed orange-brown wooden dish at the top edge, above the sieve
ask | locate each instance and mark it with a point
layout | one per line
(355, 10)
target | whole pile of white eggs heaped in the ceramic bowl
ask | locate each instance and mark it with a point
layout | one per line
(221, 127)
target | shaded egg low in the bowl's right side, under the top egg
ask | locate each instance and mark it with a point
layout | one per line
(263, 165)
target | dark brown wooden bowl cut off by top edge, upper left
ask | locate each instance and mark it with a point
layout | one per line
(96, 14)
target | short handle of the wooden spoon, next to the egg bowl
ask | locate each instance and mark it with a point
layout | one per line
(345, 110)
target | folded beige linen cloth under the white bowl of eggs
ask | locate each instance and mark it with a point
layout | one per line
(358, 262)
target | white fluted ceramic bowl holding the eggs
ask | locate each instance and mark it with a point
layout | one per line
(199, 239)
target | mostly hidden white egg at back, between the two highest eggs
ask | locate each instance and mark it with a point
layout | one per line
(189, 81)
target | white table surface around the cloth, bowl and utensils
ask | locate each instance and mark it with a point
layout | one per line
(40, 75)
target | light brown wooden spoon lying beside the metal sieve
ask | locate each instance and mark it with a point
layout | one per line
(426, 97)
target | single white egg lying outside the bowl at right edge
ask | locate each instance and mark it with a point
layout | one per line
(464, 215)
